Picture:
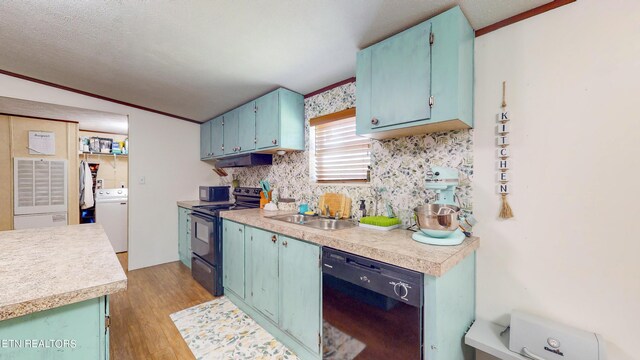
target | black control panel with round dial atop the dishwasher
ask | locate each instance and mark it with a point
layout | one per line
(392, 281)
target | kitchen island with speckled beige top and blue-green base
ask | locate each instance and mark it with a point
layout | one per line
(54, 287)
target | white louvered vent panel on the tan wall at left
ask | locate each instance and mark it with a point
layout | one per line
(40, 185)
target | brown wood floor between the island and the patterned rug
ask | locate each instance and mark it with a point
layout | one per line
(140, 323)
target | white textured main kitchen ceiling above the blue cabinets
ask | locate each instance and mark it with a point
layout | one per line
(198, 59)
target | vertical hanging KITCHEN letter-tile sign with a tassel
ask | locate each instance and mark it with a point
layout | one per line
(503, 163)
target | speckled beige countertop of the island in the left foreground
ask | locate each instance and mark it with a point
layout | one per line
(45, 268)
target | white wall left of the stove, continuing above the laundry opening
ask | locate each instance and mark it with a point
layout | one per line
(164, 150)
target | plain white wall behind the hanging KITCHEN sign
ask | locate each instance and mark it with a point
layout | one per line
(572, 251)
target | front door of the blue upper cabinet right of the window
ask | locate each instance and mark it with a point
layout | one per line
(401, 78)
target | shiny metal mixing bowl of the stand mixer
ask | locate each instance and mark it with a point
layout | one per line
(437, 220)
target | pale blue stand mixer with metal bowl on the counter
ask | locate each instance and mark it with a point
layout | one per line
(438, 222)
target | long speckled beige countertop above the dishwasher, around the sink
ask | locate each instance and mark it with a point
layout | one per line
(394, 247)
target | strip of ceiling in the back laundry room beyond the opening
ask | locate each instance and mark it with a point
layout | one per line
(93, 120)
